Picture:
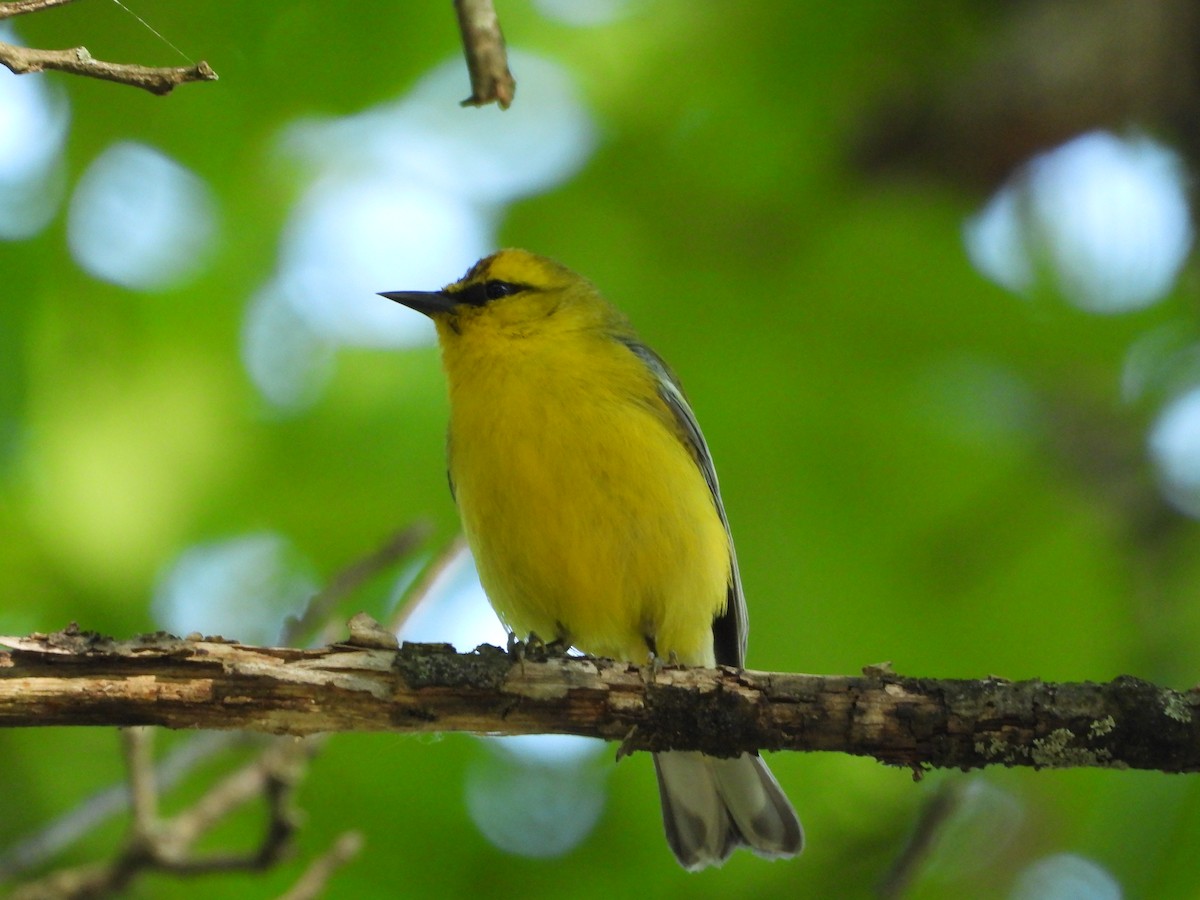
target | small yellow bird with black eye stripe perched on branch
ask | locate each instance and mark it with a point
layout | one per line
(590, 501)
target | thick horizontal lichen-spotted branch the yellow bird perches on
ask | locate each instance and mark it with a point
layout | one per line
(79, 679)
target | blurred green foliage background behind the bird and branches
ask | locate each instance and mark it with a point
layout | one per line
(919, 466)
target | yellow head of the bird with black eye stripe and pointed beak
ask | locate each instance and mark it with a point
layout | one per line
(513, 293)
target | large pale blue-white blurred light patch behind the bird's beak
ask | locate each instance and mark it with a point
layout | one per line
(407, 196)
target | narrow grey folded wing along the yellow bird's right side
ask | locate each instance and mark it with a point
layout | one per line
(731, 627)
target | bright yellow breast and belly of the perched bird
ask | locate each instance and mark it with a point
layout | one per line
(589, 520)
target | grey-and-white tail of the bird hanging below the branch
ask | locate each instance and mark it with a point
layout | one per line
(712, 806)
